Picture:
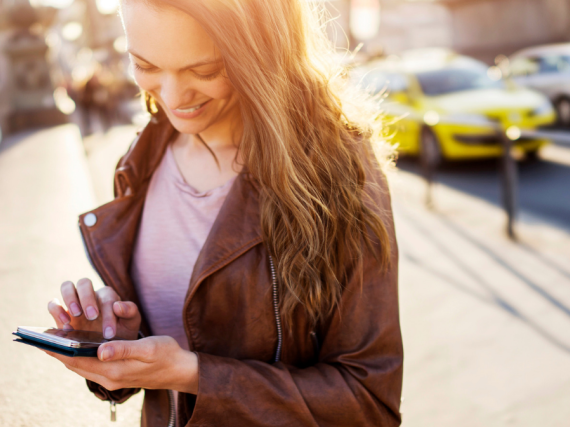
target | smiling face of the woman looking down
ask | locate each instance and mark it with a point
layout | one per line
(178, 64)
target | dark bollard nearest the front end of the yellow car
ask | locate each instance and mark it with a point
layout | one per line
(509, 179)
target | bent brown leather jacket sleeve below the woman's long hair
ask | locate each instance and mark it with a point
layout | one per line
(356, 382)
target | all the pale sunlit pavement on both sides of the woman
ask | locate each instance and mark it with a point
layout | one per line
(485, 320)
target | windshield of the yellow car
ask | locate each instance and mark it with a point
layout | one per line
(450, 80)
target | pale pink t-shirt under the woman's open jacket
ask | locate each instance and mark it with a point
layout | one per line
(175, 223)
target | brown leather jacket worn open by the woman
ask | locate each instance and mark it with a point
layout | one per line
(348, 373)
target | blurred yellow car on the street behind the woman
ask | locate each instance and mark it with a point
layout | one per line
(453, 106)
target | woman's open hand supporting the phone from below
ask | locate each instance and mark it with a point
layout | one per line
(151, 363)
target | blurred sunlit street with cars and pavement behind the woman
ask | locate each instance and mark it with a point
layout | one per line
(475, 96)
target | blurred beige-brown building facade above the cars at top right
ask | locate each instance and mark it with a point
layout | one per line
(480, 28)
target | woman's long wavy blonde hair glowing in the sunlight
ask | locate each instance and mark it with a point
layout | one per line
(298, 143)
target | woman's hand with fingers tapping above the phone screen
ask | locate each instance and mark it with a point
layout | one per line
(101, 311)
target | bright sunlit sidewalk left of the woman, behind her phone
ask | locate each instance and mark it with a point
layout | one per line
(44, 185)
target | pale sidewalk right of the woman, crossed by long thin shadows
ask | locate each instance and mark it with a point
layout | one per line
(486, 322)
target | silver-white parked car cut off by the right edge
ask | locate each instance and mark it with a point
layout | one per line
(546, 69)
